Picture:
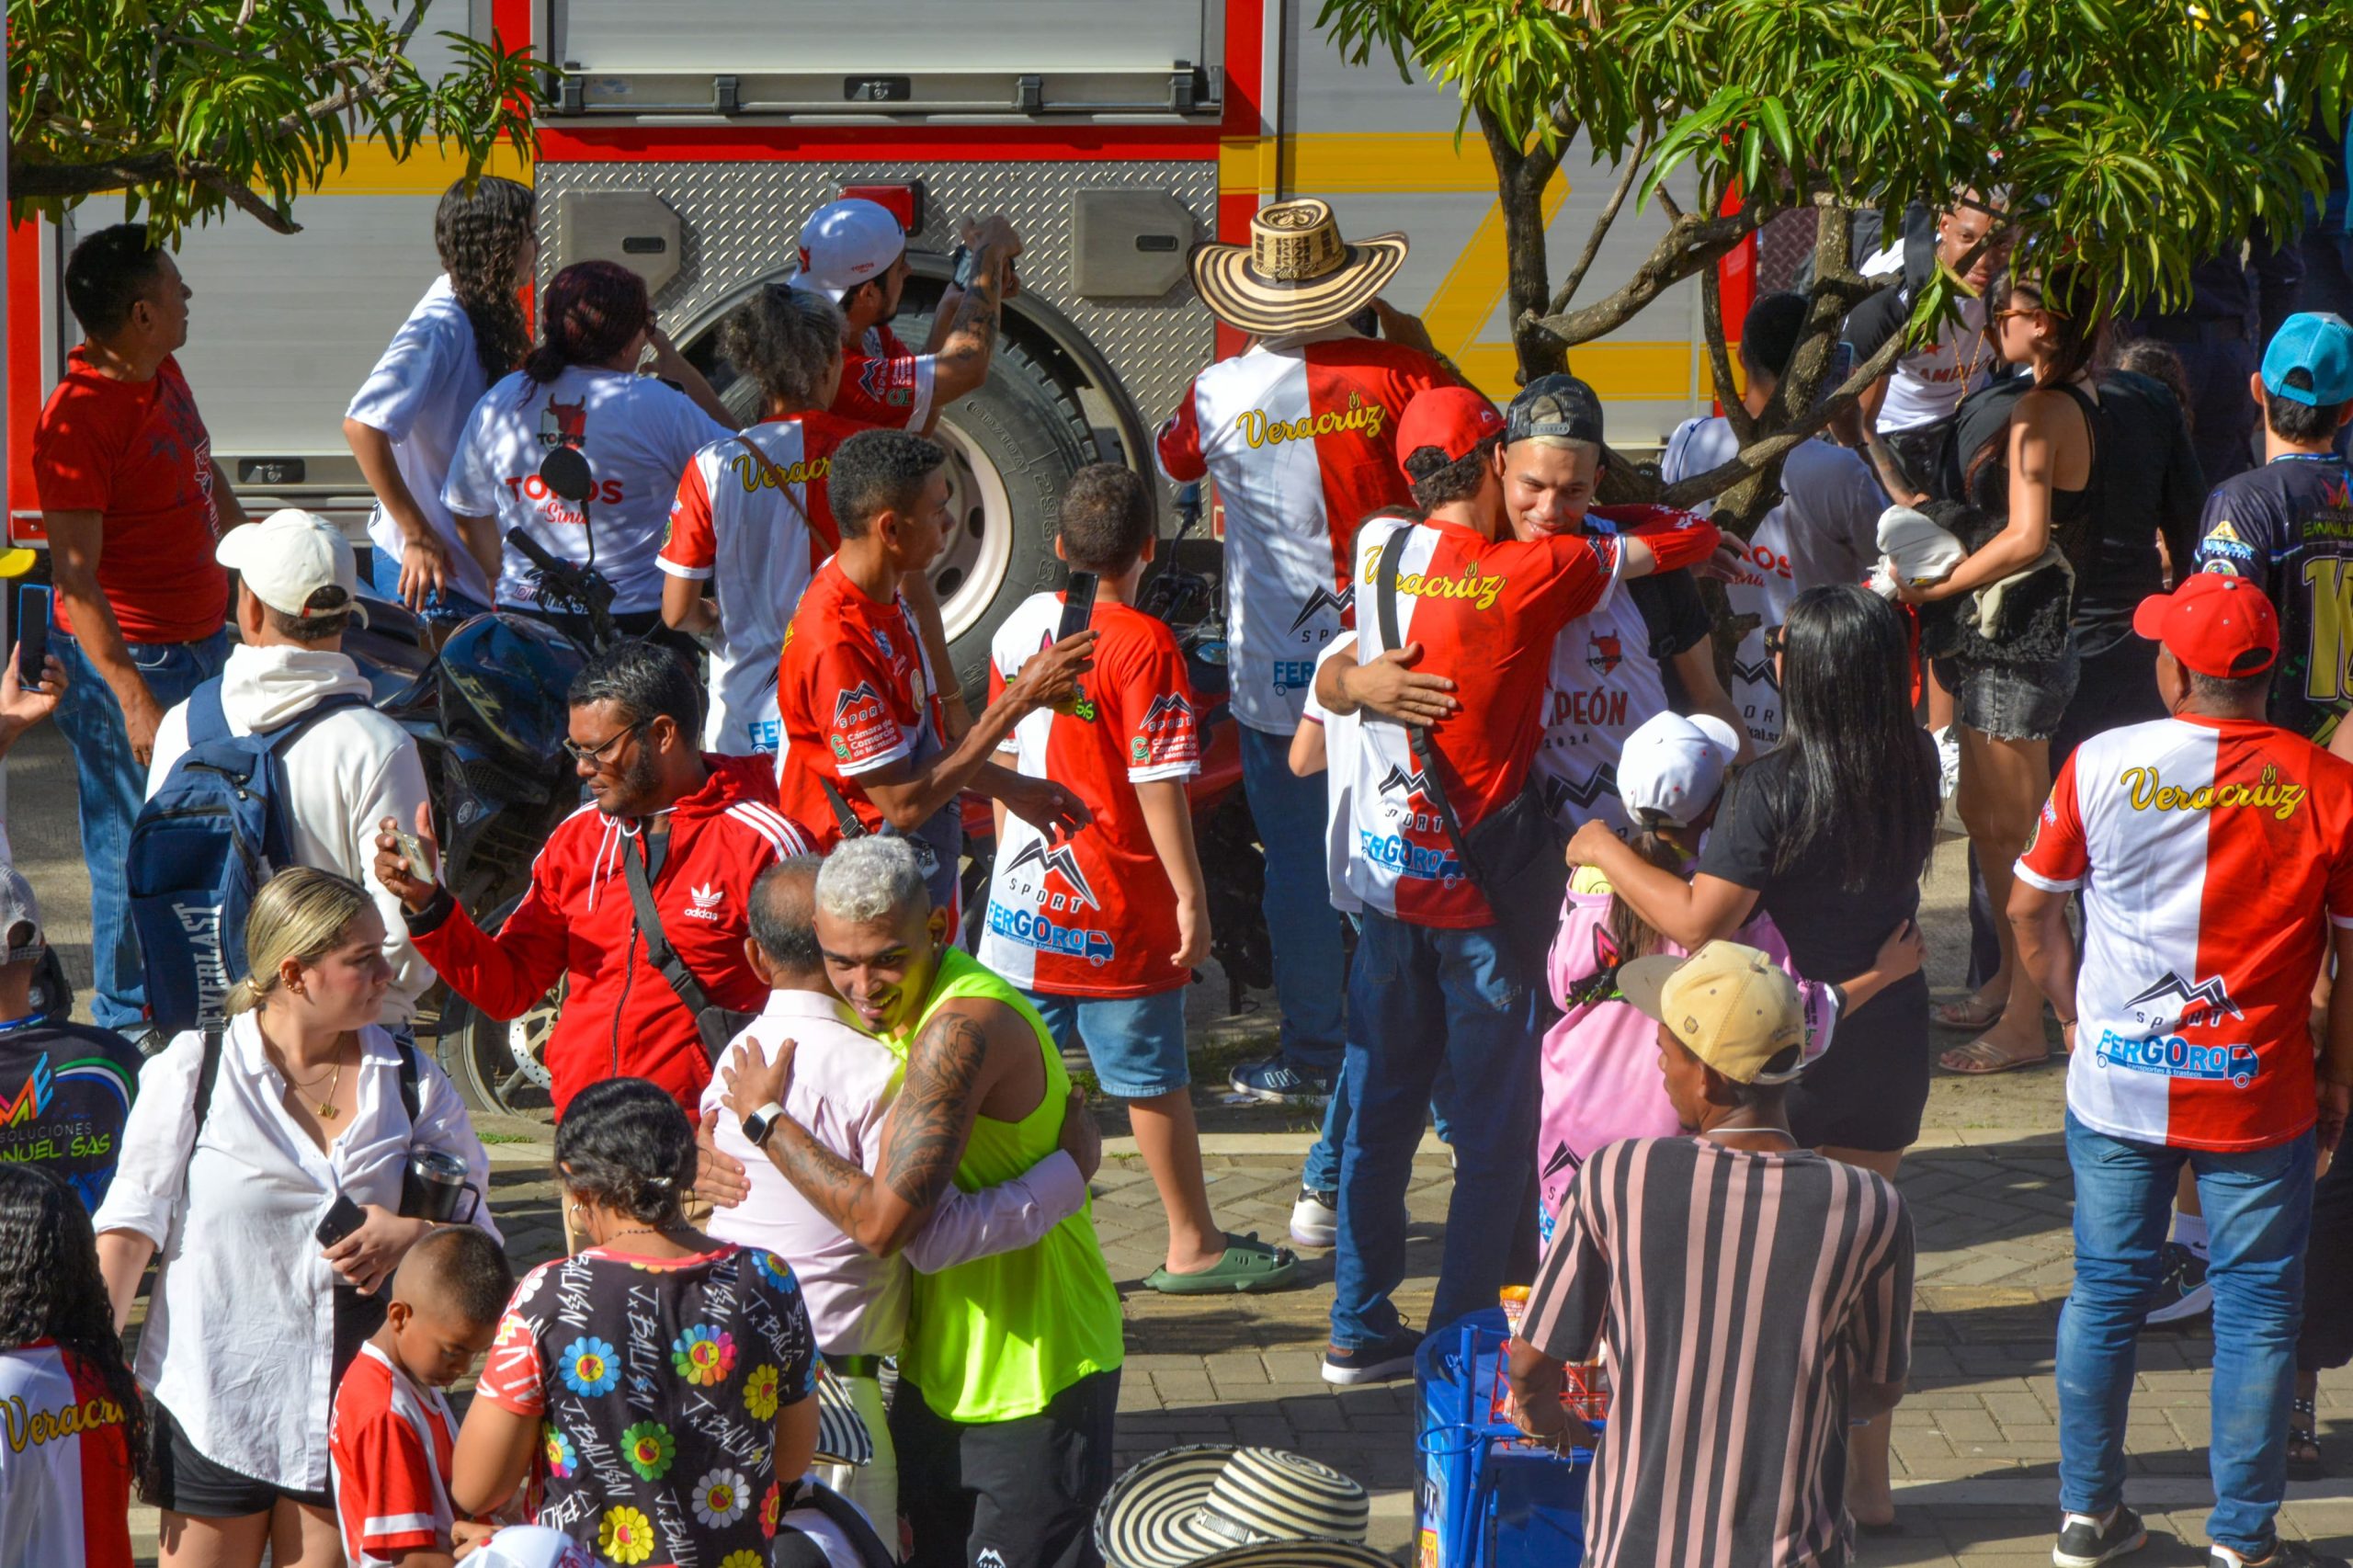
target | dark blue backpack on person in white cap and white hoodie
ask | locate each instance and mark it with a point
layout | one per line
(199, 853)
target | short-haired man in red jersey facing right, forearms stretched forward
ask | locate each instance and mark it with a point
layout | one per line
(865, 745)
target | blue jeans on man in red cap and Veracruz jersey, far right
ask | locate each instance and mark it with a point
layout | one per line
(2260, 1211)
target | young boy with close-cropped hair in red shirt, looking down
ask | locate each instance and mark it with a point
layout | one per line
(394, 1440)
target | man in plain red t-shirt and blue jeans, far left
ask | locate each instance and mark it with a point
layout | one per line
(133, 505)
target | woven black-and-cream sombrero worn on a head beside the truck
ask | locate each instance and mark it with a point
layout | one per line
(1295, 274)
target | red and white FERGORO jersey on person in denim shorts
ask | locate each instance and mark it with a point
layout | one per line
(1093, 915)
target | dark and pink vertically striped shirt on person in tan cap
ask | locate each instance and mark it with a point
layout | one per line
(1740, 1298)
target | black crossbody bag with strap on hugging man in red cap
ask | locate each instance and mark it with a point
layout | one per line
(1514, 856)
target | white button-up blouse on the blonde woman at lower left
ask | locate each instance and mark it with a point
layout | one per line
(239, 1338)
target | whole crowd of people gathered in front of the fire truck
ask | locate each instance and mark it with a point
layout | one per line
(1618, 889)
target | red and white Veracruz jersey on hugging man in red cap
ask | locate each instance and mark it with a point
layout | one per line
(1486, 613)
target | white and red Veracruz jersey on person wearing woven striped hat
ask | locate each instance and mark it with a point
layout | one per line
(1302, 441)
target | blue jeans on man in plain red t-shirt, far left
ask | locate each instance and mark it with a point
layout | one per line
(112, 788)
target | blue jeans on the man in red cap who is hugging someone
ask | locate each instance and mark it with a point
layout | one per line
(1422, 1002)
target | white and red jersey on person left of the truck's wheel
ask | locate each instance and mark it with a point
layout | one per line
(759, 545)
